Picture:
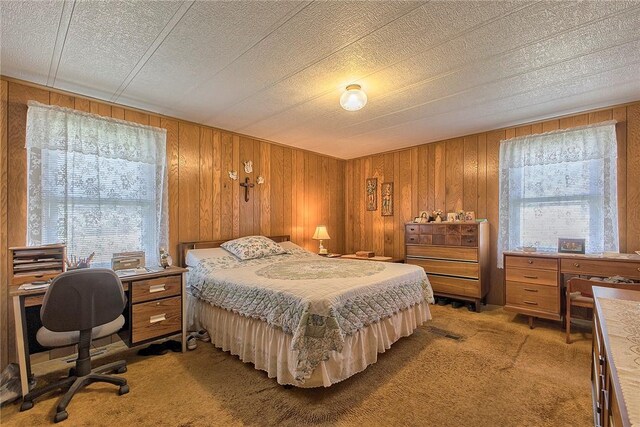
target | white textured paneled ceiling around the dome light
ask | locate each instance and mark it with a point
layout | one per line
(275, 70)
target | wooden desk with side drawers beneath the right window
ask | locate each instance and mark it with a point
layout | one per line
(534, 281)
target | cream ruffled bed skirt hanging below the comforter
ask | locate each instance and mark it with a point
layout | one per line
(269, 349)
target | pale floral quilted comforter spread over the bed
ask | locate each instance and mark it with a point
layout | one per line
(317, 300)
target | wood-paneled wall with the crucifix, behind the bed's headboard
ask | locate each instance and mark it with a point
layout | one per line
(302, 189)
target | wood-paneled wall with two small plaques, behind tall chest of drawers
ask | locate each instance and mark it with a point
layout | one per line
(462, 173)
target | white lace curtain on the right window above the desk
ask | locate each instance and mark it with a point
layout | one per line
(559, 184)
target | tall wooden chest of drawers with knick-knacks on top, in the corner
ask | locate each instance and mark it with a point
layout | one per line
(455, 257)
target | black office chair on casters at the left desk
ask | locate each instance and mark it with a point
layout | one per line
(79, 306)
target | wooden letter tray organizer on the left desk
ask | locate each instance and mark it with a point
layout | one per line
(36, 263)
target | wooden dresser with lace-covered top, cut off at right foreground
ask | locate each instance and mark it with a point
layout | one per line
(614, 367)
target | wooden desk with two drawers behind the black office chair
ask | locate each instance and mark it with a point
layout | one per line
(156, 308)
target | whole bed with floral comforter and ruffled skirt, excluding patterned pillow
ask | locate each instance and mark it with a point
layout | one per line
(306, 320)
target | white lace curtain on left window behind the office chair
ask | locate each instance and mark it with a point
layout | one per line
(96, 183)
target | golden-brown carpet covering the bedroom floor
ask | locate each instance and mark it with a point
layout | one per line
(461, 368)
